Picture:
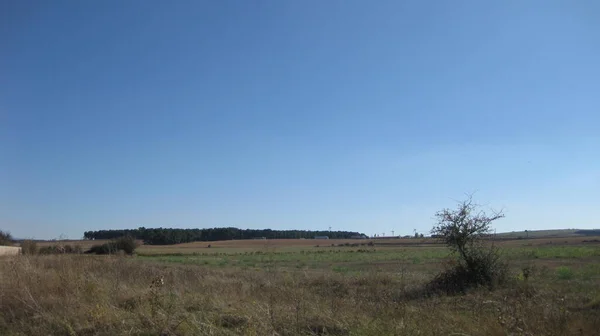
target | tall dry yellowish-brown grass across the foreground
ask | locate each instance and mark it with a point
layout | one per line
(110, 295)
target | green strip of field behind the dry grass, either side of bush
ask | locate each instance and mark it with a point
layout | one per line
(358, 260)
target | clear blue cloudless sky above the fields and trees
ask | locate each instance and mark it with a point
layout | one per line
(359, 115)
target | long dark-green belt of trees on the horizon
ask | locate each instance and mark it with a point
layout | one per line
(165, 236)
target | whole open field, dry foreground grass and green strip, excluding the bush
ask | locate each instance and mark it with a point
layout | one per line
(295, 288)
